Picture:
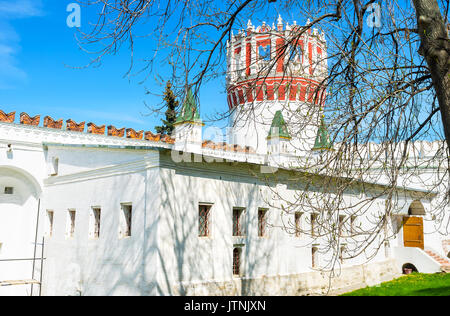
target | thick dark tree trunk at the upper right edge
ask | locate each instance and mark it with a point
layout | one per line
(435, 48)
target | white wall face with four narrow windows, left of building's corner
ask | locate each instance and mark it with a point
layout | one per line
(109, 265)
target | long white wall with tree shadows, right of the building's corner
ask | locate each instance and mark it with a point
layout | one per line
(191, 264)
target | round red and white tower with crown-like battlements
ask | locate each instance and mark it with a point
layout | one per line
(270, 69)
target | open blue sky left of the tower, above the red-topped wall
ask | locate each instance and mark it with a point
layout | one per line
(37, 52)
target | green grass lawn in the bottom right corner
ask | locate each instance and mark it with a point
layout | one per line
(416, 284)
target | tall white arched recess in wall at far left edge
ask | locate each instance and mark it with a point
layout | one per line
(19, 199)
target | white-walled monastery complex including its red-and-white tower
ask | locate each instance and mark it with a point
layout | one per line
(148, 214)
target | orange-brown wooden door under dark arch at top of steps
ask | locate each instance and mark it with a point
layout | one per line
(413, 226)
